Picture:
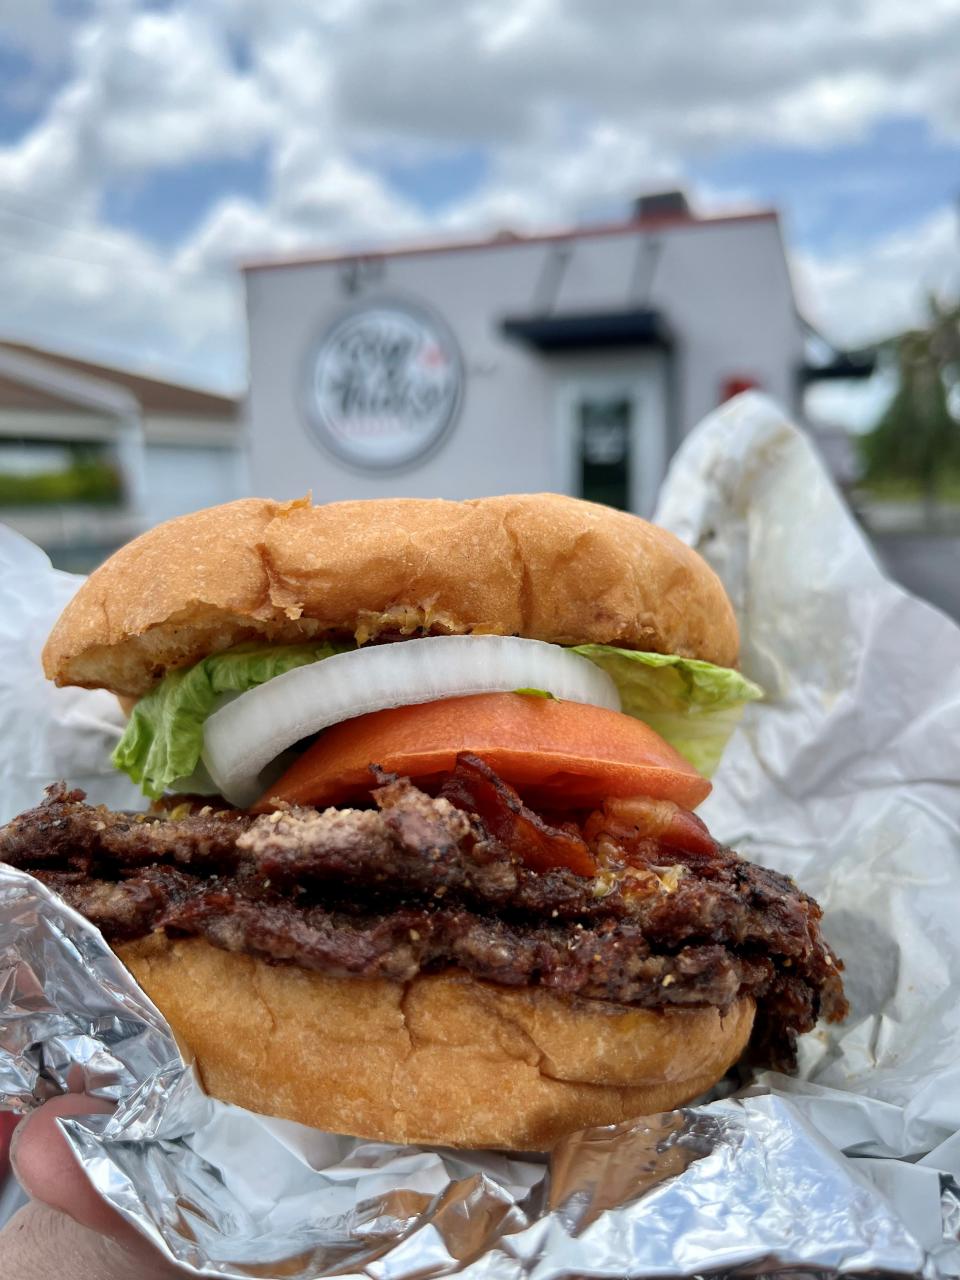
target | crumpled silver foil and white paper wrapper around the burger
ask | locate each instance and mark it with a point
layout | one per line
(847, 778)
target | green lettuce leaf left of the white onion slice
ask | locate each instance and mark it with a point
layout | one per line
(164, 735)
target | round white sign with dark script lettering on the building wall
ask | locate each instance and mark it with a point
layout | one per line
(385, 386)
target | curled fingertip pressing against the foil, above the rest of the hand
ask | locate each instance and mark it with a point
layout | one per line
(49, 1172)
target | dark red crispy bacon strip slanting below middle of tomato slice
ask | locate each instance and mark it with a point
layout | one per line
(477, 789)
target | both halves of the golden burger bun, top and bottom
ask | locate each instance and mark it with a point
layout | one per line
(445, 1058)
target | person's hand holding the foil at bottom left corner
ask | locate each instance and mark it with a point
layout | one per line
(67, 1232)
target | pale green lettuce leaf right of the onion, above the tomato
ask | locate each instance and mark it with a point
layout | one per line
(693, 705)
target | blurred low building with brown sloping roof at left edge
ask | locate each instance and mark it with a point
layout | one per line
(92, 455)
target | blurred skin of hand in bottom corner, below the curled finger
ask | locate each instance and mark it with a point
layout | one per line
(39, 1244)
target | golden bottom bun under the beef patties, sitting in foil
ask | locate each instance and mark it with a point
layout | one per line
(442, 1060)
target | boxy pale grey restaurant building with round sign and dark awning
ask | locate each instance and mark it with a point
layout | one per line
(573, 362)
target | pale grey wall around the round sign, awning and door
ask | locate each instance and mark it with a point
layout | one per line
(723, 287)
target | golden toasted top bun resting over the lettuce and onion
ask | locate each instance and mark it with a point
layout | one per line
(533, 565)
